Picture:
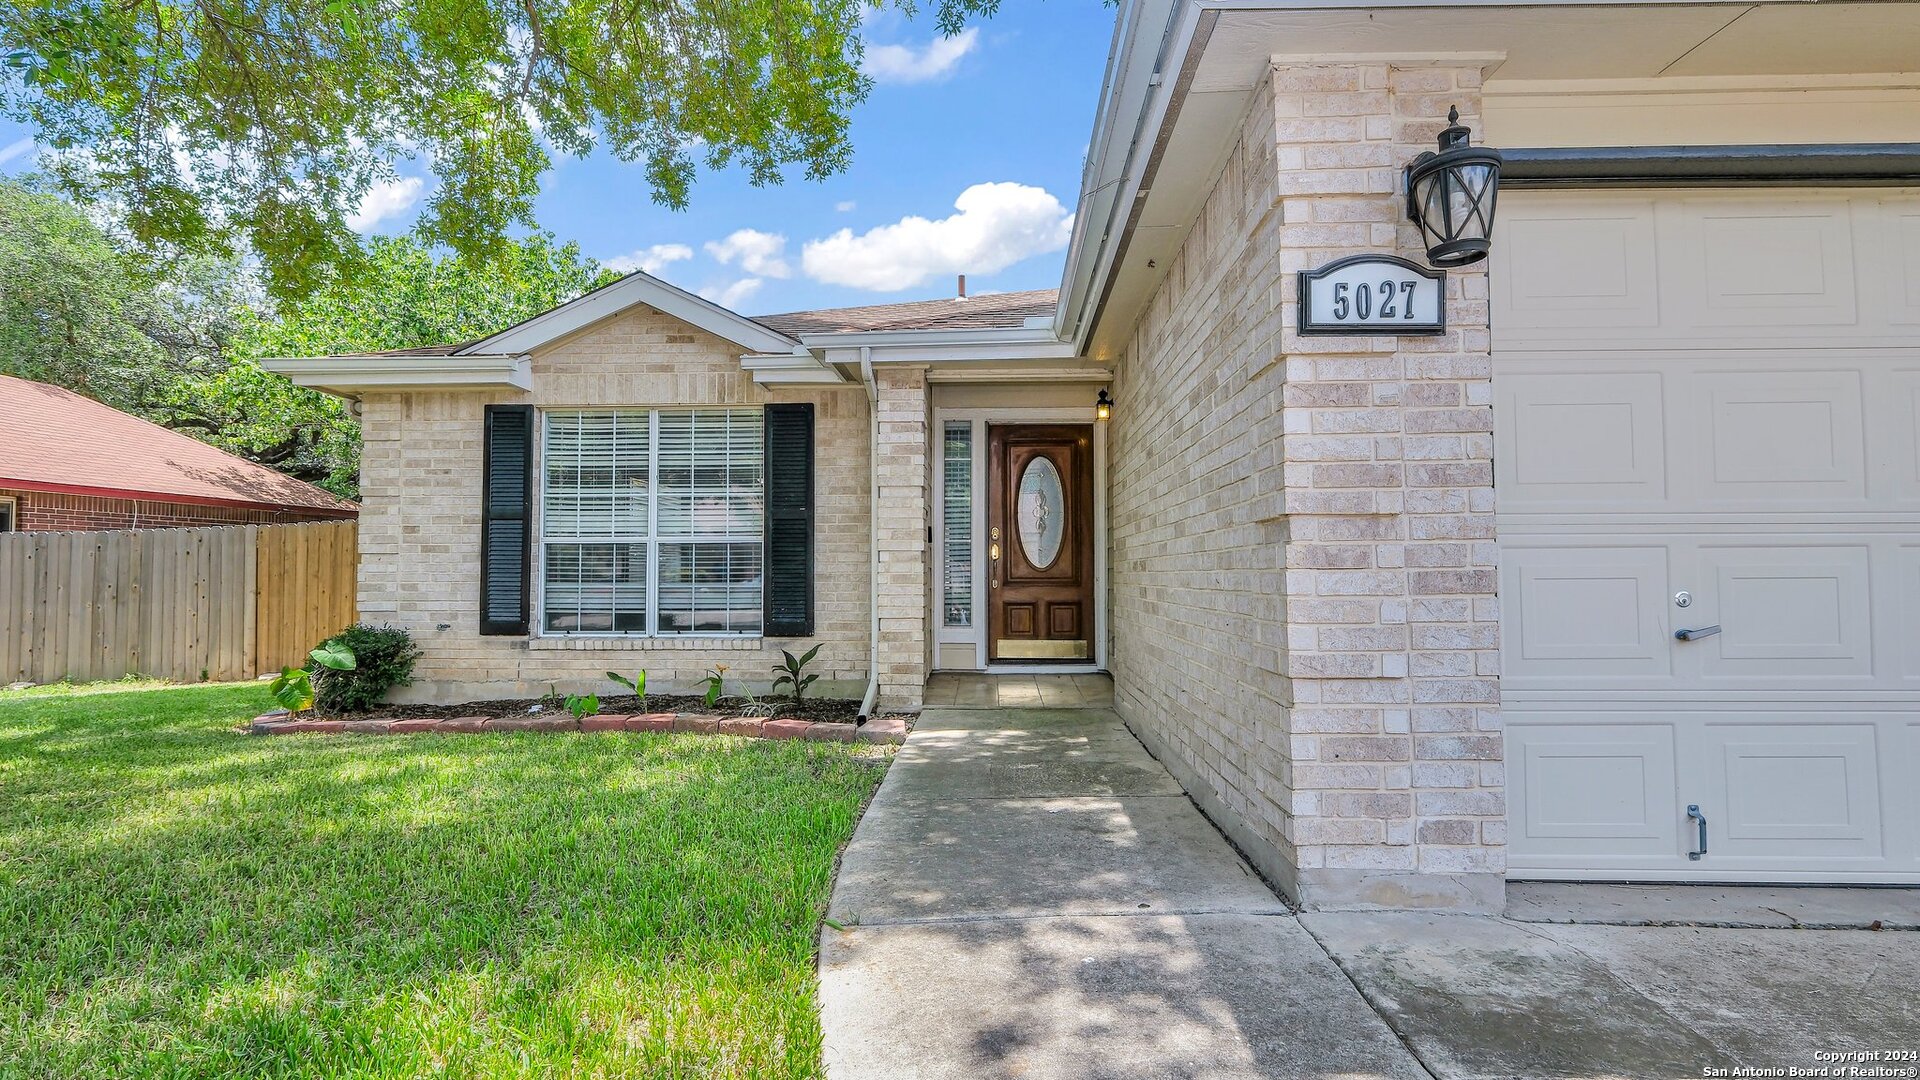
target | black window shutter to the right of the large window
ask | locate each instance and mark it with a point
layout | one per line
(790, 520)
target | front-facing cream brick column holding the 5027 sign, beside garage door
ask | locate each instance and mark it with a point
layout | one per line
(1393, 641)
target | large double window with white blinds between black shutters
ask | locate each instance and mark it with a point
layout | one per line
(652, 522)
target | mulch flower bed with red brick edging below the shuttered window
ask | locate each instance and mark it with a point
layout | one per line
(550, 718)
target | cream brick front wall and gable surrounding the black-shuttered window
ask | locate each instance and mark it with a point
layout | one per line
(421, 520)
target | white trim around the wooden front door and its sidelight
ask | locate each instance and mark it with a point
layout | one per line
(976, 635)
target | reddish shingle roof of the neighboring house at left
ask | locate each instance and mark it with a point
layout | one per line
(62, 441)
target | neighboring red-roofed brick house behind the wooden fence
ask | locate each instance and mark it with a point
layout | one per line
(68, 462)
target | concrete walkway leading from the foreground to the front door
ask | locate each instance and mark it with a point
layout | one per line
(1034, 896)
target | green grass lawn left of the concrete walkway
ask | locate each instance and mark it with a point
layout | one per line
(180, 900)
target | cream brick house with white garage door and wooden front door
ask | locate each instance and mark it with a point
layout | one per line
(1399, 610)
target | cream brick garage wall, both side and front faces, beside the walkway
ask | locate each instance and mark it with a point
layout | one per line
(1303, 529)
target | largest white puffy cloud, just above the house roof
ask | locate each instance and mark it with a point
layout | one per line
(996, 228)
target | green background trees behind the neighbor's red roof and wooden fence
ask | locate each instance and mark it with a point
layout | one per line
(178, 343)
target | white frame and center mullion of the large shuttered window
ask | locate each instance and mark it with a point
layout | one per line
(623, 639)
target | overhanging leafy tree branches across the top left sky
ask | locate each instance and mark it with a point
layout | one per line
(262, 124)
